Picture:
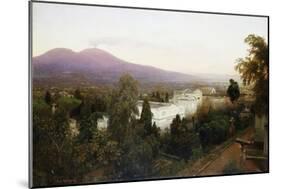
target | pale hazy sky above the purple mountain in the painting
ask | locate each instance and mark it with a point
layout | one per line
(183, 42)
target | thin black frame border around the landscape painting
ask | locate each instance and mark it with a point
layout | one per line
(30, 50)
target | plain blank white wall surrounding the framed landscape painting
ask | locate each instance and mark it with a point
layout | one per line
(14, 84)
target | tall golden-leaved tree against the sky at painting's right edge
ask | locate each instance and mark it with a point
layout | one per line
(254, 70)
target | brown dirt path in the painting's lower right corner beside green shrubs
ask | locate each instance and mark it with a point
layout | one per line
(215, 162)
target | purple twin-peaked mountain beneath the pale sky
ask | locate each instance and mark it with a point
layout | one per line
(95, 66)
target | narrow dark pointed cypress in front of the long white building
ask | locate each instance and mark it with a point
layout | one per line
(146, 117)
